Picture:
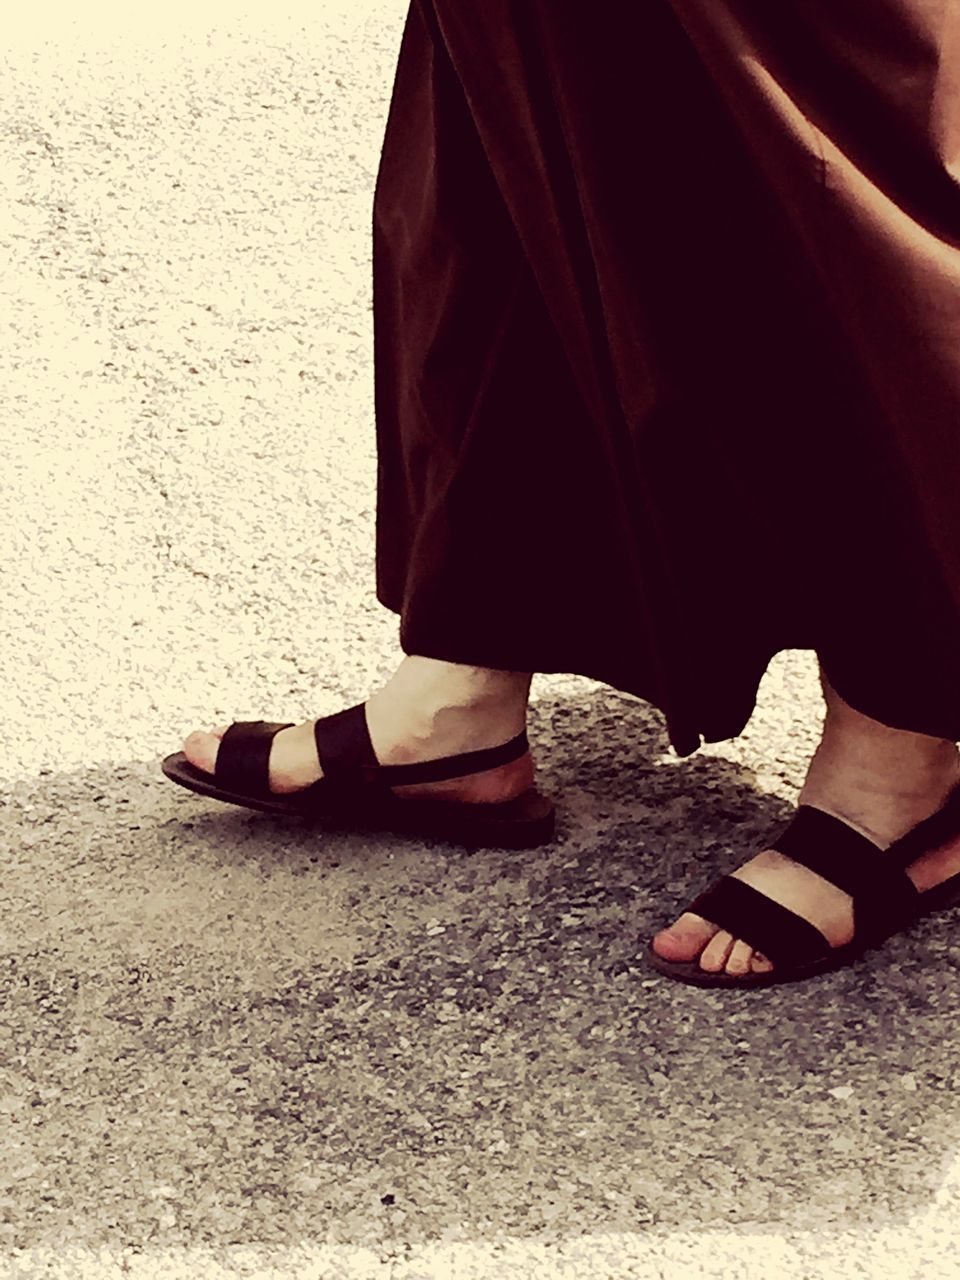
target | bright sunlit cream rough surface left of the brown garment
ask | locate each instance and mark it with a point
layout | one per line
(188, 371)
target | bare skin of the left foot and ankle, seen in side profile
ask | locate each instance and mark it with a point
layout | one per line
(428, 710)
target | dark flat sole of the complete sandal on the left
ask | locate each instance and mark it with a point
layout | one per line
(524, 822)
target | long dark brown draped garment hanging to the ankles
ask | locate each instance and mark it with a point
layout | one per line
(668, 348)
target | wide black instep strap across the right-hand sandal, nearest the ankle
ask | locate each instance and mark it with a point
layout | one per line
(885, 898)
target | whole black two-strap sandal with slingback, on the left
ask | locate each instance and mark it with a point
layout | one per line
(355, 790)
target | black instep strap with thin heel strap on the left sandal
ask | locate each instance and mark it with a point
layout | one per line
(348, 755)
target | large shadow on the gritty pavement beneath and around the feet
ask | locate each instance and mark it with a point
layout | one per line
(227, 1028)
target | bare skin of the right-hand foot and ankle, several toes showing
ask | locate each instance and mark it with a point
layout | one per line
(881, 781)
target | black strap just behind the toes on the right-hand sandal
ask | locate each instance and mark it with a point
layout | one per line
(781, 935)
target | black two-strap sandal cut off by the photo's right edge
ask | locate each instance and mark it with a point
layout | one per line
(885, 898)
